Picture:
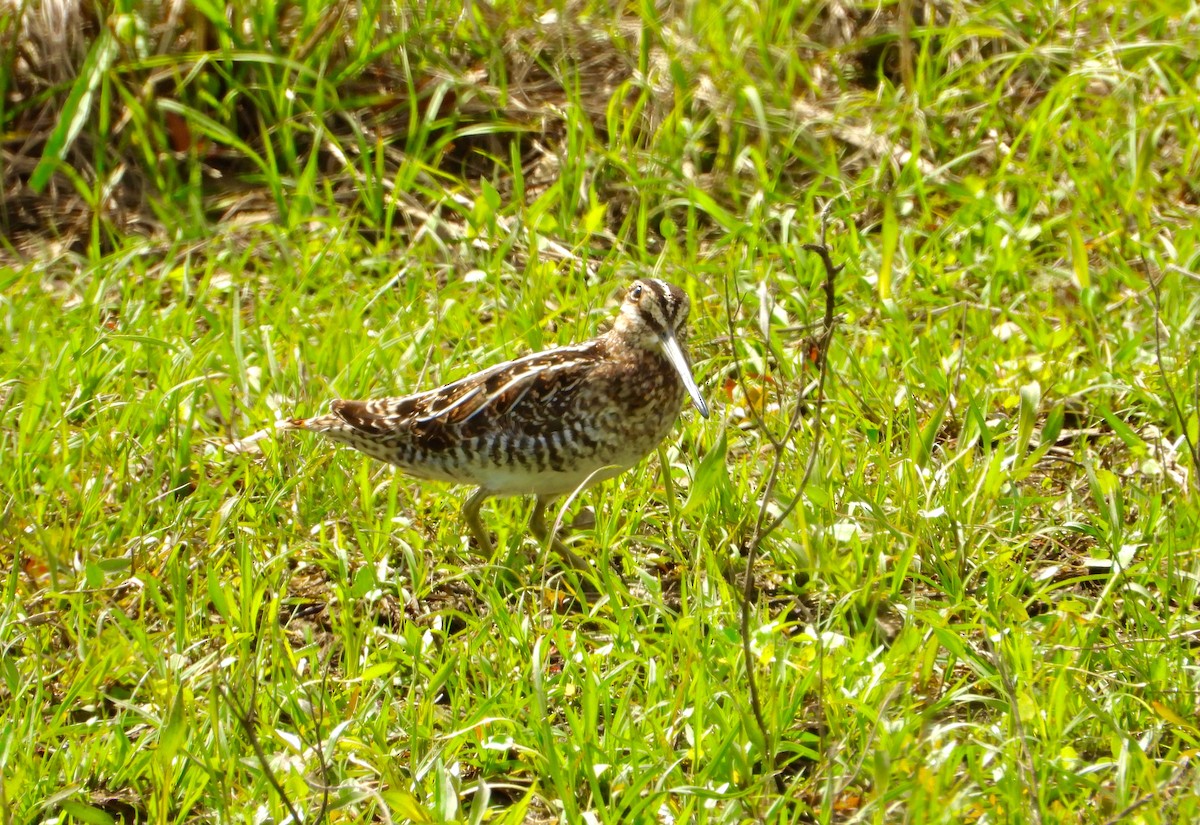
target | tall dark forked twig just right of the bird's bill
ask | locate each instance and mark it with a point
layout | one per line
(760, 532)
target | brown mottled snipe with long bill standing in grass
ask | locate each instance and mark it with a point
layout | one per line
(544, 425)
